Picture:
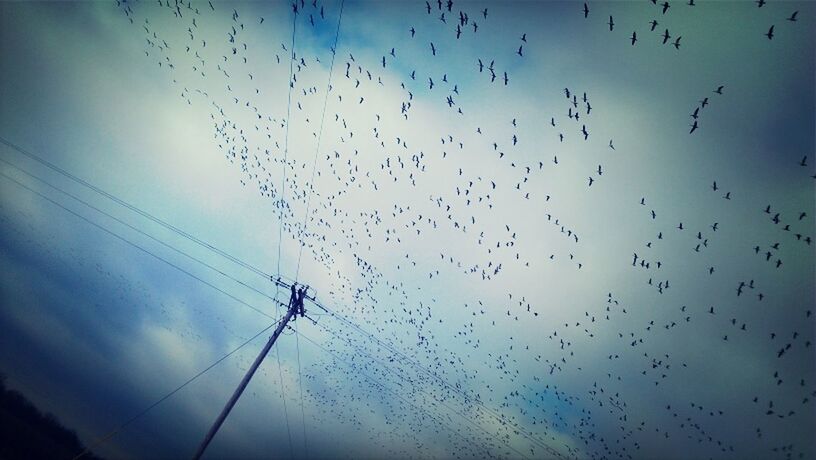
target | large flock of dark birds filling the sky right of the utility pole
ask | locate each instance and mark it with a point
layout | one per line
(461, 187)
